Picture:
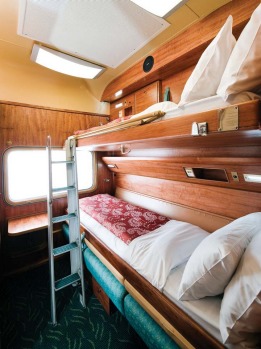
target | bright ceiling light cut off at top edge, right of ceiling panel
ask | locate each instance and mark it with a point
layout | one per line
(159, 8)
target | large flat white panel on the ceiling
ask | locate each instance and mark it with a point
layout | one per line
(106, 32)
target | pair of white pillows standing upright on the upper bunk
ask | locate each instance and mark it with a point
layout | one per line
(228, 67)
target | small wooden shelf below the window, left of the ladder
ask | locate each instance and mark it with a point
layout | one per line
(24, 225)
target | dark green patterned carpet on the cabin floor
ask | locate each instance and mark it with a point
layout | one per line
(25, 316)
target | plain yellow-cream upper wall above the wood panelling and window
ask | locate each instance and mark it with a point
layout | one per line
(31, 83)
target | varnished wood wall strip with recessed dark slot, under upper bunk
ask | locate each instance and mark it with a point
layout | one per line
(174, 169)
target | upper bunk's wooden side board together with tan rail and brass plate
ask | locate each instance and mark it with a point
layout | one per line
(231, 125)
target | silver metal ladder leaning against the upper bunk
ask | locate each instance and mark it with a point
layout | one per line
(72, 217)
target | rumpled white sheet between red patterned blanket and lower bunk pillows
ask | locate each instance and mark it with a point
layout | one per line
(153, 255)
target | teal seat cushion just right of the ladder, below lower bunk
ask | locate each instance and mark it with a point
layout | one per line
(111, 286)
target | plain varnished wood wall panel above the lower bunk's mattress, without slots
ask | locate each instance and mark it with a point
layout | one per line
(231, 203)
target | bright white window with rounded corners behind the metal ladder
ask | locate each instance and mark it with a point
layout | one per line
(26, 173)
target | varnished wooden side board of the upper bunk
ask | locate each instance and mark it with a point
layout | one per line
(176, 131)
